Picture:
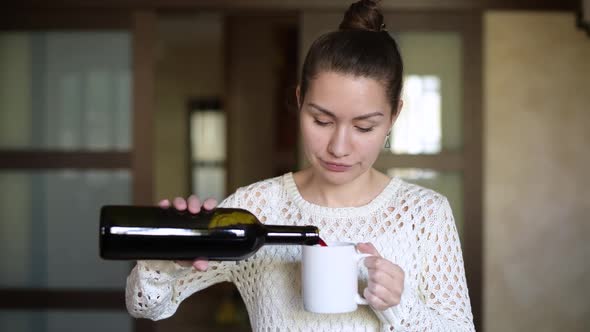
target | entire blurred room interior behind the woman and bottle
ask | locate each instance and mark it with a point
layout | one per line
(129, 102)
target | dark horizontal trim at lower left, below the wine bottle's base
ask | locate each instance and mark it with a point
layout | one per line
(43, 299)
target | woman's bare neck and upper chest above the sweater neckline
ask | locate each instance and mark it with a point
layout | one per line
(358, 192)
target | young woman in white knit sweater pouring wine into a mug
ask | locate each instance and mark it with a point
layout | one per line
(349, 97)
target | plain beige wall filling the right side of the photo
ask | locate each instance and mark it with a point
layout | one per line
(537, 190)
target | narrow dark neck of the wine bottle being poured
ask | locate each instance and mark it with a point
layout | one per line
(308, 235)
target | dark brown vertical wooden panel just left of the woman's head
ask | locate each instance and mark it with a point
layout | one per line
(251, 99)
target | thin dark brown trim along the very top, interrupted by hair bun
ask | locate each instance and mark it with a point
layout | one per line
(291, 5)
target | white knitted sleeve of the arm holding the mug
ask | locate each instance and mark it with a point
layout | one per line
(441, 302)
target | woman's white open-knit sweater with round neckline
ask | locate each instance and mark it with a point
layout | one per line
(411, 226)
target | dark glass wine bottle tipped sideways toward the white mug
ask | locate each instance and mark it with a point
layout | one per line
(147, 232)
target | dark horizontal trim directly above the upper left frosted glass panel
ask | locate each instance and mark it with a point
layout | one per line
(72, 18)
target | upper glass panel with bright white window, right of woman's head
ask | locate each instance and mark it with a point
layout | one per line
(431, 120)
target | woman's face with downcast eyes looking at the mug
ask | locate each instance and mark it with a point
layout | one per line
(344, 121)
